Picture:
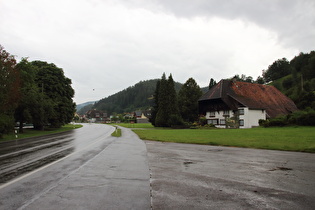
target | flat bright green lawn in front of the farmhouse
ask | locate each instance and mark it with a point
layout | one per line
(280, 138)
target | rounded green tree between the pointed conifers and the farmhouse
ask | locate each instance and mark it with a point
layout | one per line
(188, 97)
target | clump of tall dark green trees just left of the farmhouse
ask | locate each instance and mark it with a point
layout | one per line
(172, 109)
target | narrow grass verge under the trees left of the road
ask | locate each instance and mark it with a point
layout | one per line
(32, 133)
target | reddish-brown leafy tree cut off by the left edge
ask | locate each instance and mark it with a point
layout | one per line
(9, 90)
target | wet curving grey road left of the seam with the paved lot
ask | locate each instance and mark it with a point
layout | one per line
(98, 172)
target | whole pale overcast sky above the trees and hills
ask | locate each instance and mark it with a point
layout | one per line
(109, 45)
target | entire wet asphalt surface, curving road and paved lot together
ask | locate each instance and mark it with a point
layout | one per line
(89, 169)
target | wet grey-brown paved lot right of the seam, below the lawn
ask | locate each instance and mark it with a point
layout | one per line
(187, 176)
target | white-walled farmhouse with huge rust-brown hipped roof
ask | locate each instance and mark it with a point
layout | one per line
(243, 104)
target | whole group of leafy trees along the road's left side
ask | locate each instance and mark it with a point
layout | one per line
(34, 92)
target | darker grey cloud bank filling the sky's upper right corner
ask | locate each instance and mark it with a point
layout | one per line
(292, 20)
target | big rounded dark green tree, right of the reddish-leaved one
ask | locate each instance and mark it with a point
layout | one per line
(56, 104)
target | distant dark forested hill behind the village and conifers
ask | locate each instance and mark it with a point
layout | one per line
(139, 96)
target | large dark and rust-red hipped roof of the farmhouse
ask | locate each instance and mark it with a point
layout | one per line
(253, 96)
